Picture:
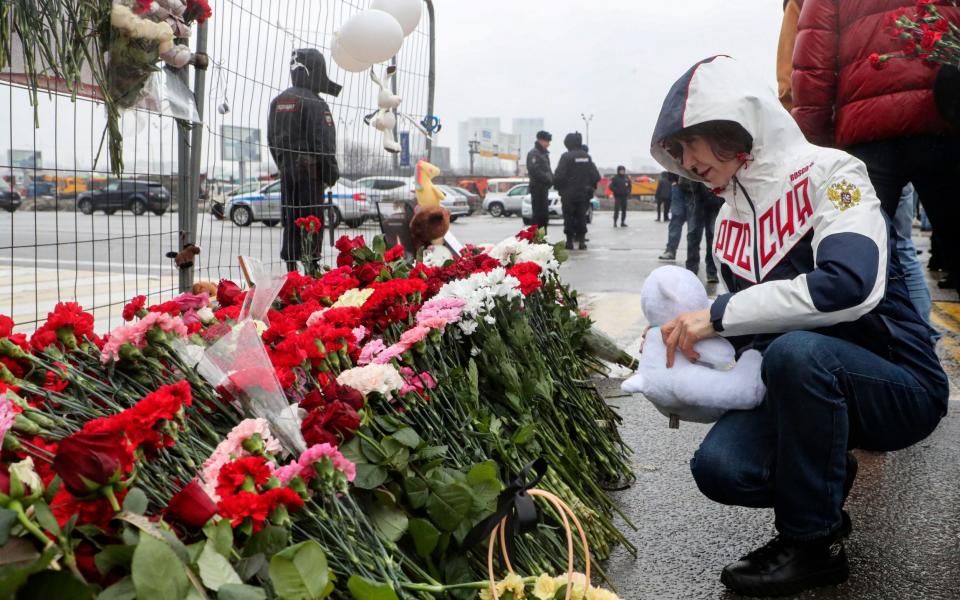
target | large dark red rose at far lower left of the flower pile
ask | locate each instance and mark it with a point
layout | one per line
(86, 461)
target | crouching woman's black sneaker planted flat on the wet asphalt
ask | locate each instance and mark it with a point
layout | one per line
(783, 567)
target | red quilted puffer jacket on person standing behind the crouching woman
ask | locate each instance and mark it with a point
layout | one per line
(839, 98)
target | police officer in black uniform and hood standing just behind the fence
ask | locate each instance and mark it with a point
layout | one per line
(303, 142)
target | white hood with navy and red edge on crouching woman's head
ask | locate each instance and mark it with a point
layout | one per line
(720, 89)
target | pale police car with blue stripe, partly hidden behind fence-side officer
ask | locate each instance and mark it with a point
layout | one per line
(351, 205)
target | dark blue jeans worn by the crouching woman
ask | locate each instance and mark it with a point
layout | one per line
(824, 396)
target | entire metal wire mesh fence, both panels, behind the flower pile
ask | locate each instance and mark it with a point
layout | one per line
(76, 236)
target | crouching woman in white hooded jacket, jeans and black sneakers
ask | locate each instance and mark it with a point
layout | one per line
(813, 283)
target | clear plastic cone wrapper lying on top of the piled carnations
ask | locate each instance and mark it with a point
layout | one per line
(238, 365)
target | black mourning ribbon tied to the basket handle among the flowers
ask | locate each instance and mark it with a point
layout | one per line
(516, 505)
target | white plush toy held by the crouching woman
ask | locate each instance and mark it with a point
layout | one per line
(700, 391)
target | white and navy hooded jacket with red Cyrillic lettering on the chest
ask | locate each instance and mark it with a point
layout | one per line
(802, 241)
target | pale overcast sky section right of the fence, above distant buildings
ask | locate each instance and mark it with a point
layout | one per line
(613, 58)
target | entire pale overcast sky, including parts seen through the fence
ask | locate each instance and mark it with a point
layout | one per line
(504, 58)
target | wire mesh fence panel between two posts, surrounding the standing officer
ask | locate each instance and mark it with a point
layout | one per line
(247, 80)
